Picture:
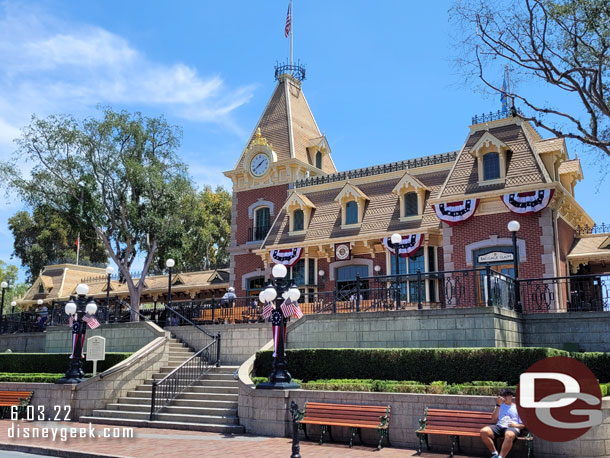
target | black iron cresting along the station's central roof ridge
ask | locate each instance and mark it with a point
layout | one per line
(378, 169)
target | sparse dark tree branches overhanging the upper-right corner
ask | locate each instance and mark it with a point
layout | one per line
(564, 44)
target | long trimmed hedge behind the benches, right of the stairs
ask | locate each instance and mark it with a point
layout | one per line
(453, 365)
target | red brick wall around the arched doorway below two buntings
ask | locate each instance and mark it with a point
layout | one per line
(482, 227)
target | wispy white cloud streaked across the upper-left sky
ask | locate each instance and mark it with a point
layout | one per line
(52, 66)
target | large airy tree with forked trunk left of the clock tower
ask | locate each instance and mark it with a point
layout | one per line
(125, 168)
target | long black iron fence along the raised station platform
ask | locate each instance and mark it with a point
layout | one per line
(478, 287)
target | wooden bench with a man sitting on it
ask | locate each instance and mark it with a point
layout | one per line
(460, 423)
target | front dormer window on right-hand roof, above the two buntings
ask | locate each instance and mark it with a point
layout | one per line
(491, 154)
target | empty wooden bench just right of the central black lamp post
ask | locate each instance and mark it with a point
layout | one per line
(354, 417)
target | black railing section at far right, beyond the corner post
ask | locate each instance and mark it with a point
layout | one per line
(581, 293)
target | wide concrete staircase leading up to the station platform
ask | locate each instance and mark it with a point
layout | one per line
(208, 405)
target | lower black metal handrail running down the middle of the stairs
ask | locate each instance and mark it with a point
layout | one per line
(185, 375)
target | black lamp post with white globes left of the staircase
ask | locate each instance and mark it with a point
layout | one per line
(79, 306)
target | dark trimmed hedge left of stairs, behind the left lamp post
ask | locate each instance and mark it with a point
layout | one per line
(51, 363)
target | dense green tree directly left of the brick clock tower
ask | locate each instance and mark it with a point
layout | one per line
(202, 239)
